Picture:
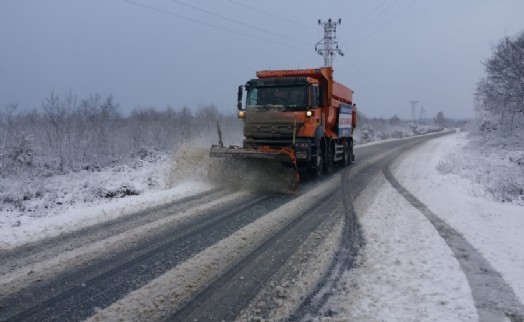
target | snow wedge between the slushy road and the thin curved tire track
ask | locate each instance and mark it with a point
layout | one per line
(406, 272)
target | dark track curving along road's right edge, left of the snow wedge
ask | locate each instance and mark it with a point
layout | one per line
(311, 306)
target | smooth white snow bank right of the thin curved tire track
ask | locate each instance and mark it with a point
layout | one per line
(493, 227)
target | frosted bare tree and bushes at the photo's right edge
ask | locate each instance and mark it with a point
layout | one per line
(495, 156)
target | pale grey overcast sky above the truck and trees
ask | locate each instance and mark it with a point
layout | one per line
(196, 52)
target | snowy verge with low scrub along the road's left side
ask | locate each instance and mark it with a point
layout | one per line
(79, 199)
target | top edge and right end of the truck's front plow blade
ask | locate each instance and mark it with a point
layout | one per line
(285, 156)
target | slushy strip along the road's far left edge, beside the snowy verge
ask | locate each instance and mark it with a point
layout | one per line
(33, 265)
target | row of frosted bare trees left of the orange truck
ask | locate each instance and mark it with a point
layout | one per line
(70, 133)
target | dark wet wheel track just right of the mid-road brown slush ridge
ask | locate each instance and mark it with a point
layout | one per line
(256, 269)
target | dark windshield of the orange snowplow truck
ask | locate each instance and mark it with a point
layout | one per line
(289, 98)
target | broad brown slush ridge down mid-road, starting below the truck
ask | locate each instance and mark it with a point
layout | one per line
(176, 288)
